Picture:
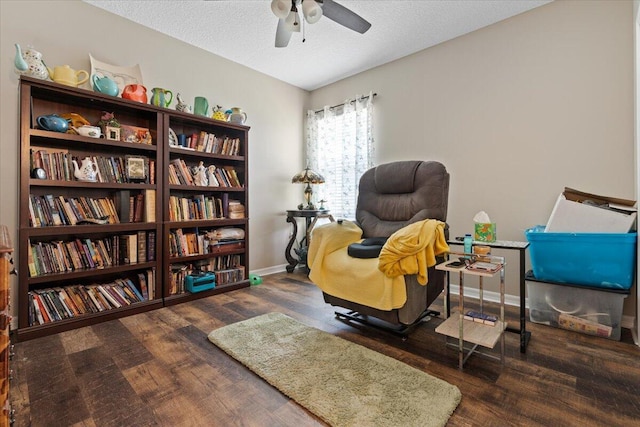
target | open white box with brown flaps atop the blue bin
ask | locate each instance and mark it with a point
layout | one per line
(571, 215)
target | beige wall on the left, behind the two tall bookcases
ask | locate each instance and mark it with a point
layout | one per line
(67, 31)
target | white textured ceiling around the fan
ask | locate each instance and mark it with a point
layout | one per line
(243, 31)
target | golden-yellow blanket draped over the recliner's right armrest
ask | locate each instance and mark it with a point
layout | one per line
(413, 249)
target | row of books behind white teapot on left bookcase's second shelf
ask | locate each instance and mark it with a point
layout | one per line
(58, 165)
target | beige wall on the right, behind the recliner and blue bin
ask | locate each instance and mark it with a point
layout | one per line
(516, 111)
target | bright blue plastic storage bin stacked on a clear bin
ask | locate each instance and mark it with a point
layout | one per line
(606, 260)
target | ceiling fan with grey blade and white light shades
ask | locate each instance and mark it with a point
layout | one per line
(312, 11)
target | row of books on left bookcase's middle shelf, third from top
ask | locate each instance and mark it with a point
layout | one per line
(49, 210)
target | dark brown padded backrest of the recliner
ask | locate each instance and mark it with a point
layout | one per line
(396, 194)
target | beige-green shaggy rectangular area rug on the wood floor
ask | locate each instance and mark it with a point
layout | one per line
(343, 383)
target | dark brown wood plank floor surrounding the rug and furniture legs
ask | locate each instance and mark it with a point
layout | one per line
(158, 368)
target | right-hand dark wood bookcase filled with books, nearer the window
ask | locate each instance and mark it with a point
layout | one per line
(206, 224)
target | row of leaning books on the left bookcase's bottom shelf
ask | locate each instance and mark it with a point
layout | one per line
(60, 303)
